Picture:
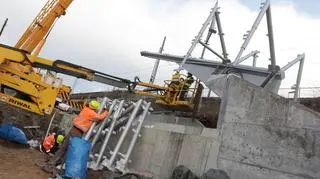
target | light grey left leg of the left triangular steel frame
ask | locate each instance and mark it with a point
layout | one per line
(196, 40)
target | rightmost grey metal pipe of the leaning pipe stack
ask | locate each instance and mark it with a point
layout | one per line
(136, 134)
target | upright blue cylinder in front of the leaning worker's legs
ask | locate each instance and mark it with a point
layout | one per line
(77, 158)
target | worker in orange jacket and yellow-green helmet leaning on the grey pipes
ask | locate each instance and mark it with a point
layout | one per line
(80, 125)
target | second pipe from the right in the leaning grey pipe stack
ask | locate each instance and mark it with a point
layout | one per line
(124, 133)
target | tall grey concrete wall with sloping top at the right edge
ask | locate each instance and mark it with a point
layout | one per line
(265, 136)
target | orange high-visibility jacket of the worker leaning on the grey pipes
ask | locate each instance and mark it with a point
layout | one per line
(85, 118)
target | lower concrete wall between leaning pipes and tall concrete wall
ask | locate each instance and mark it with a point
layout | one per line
(165, 146)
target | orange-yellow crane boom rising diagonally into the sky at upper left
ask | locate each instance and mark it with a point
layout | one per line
(39, 28)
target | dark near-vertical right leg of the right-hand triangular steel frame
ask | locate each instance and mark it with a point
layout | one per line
(271, 41)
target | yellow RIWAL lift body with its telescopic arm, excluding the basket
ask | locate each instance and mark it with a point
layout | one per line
(28, 90)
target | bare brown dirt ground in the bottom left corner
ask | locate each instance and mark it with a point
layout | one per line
(17, 162)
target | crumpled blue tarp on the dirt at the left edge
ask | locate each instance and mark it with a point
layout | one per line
(11, 133)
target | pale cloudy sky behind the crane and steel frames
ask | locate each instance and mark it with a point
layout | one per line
(108, 35)
